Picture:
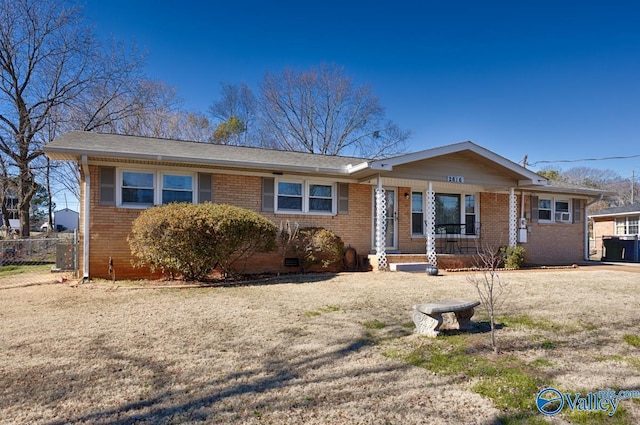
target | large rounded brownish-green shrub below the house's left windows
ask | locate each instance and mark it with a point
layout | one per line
(191, 240)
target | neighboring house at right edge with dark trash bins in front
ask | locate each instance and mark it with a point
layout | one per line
(615, 233)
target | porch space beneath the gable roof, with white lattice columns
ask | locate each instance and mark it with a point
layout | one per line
(424, 232)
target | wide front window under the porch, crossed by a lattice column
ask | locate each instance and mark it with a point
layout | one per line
(455, 213)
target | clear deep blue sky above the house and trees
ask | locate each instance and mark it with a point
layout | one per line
(554, 80)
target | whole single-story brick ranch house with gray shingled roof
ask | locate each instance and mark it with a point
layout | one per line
(436, 205)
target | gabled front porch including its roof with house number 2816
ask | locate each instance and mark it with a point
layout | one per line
(428, 206)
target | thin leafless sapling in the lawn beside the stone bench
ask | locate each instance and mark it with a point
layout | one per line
(490, 288)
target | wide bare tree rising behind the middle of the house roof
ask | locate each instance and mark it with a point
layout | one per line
(321, 111)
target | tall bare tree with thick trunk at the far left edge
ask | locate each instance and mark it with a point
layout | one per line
(44, 63)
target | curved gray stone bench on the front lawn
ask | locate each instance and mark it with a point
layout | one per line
(428, 317)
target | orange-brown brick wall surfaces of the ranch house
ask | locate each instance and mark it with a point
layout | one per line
(110, 226)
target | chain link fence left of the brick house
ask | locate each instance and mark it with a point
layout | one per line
(39, 259)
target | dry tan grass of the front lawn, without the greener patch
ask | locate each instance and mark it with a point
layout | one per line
(293, 352)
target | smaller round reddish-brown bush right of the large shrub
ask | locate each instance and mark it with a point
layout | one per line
(316, 246)
